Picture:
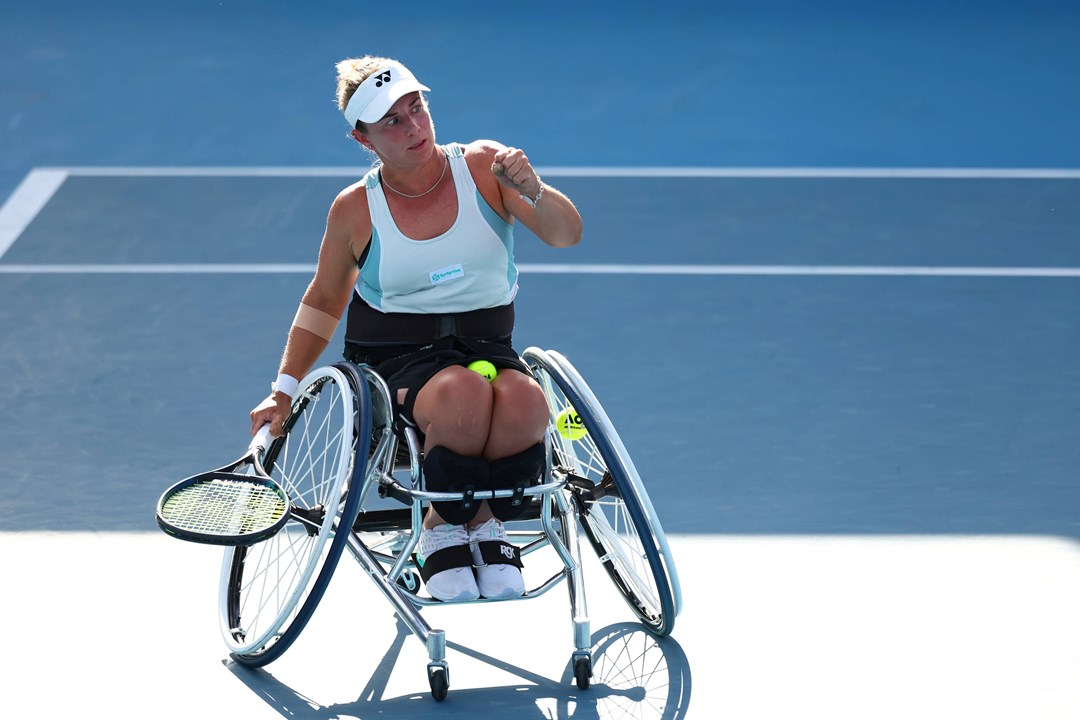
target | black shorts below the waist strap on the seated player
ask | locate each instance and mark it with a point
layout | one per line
(411, 368)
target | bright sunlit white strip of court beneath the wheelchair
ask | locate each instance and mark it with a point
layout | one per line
(126, 627)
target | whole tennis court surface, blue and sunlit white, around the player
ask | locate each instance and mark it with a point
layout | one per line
(831, 306)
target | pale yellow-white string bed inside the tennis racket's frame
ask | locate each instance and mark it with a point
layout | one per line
(224, 508)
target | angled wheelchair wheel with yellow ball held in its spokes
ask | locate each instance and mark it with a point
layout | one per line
(617, 515)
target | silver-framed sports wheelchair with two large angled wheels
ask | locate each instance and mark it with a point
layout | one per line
(358, 486)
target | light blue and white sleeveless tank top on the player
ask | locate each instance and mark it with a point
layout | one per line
(469, 267)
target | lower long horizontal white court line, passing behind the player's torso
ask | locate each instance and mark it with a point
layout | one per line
(855, 271)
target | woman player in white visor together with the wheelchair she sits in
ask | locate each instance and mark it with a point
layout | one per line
(421, 252)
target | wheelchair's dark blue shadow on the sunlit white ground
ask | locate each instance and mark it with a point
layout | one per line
(634, 675)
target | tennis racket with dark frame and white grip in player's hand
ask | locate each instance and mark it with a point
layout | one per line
(237, 505)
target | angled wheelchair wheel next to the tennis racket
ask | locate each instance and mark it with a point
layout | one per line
(271, 590)
